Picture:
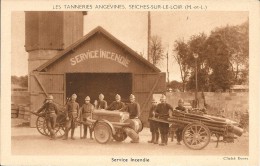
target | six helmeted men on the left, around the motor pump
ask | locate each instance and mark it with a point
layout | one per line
(74, 112)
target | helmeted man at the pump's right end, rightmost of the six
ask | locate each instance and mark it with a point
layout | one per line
(133, 108)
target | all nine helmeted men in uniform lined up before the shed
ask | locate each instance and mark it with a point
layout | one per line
(74, 113)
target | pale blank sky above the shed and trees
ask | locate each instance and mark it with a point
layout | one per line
(131, 28)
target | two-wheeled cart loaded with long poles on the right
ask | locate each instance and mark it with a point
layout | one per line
(197, 129)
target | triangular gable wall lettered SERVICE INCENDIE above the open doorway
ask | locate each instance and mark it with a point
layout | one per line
(105, 65)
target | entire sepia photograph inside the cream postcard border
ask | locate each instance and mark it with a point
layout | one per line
(153, 81)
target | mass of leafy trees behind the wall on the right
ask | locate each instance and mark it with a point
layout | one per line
(222, 62)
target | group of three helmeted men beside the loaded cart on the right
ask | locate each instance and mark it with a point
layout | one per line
(163, 111)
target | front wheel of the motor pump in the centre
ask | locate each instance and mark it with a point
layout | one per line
(102, 132)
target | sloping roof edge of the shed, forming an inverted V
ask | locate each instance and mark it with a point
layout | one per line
(98, 29)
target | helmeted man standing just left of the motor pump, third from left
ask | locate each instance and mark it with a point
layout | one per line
(85, 111)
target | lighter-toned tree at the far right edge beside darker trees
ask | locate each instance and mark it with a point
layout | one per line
(236, 38)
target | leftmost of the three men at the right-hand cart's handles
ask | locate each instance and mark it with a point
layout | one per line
(153, 125)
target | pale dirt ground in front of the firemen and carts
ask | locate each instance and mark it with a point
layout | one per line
(27, 141)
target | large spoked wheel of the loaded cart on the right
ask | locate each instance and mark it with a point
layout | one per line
(196, 136)
